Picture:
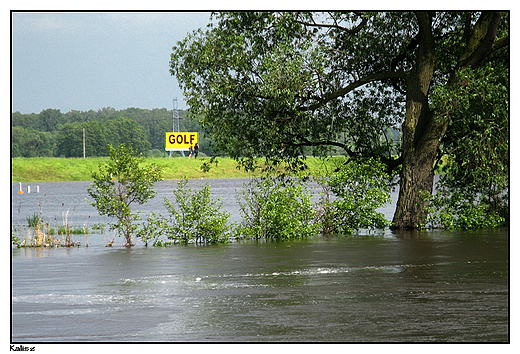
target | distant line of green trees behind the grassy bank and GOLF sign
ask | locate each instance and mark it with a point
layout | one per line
(56, 134)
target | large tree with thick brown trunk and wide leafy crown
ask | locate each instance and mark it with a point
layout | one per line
(261, 83)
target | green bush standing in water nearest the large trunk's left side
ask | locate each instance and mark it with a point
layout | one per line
(358, 189)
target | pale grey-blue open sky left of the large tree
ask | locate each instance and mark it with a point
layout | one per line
(82, 61)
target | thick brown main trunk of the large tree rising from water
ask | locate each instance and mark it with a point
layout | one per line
(421, 136)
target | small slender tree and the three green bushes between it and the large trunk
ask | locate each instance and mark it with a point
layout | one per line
(273, 208)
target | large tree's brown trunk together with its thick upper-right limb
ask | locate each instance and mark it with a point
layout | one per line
(422, 130)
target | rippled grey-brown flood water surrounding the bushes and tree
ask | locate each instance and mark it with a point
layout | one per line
(435, 286)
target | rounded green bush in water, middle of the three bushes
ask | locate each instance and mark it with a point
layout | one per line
(277, 209)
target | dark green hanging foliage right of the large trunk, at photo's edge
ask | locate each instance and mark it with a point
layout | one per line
(478, 141)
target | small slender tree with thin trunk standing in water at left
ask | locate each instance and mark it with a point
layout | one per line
(121, 182)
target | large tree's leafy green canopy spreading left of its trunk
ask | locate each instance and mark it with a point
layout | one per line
(259, 82)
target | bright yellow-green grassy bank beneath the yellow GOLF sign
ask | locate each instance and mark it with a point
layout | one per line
(51, 169)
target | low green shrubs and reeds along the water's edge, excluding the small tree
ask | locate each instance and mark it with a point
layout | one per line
(270, 208)
